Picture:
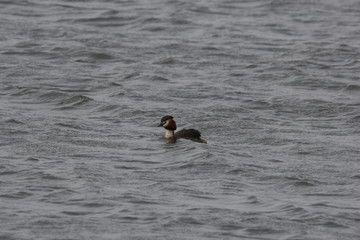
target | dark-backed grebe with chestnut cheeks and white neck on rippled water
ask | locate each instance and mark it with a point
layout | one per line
(169, 124)
